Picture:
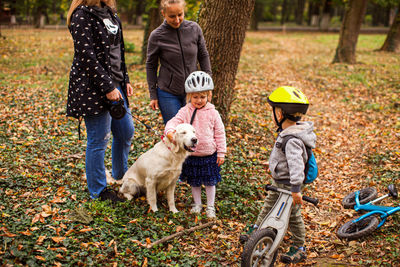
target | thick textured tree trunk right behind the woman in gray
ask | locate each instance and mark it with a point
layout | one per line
(224, 24)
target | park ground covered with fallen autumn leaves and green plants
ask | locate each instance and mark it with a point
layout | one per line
(356, 113)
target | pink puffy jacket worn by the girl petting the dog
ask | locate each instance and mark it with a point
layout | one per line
(210, 130)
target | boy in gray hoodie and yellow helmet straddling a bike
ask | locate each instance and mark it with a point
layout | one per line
(287, 169)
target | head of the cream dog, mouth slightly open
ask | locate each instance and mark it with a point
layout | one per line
(185, 137)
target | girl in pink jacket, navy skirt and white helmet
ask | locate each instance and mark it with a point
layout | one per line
(203, 166)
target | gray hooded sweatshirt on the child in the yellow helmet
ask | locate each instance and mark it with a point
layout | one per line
(288, 168)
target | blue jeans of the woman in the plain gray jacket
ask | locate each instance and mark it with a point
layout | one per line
(169, 104)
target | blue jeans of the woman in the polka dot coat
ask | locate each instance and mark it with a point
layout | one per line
(98, 133)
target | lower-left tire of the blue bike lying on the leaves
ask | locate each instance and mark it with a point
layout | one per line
(352, 230)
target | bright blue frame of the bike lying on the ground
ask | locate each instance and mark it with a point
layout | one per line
(382, 211)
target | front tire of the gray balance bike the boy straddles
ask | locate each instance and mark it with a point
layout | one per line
(256, 243)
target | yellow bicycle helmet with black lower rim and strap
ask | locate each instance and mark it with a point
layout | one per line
(291, 100)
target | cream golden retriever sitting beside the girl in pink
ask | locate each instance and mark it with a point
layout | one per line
(159, 168)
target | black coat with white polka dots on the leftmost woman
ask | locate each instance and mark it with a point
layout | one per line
(90, 76)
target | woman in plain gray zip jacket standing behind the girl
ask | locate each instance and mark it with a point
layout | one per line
(178, 45)
